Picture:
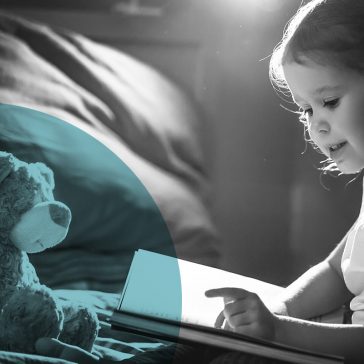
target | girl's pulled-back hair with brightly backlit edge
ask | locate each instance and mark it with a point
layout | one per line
(324, 31)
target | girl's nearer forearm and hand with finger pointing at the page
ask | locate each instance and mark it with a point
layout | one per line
(245, 313)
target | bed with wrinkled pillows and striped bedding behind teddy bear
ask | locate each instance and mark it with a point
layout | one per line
(124, 144)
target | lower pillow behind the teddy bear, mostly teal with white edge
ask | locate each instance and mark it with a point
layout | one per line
(119, 202)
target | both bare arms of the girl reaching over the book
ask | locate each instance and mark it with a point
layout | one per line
(319, 290)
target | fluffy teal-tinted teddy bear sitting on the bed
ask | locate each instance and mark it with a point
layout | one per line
(30, 222)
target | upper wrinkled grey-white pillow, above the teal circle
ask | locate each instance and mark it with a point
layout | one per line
(69, 76)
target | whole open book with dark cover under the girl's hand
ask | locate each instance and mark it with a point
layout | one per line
(164, 297)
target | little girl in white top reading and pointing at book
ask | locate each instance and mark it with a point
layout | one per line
(320, 61)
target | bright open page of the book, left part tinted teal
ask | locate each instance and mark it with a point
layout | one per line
(174, 289)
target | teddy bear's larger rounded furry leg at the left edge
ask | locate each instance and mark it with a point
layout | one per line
(30, 313)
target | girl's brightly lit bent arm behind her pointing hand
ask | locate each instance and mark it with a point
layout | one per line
(318, 291)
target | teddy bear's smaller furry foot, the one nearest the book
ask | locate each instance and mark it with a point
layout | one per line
(80, 327)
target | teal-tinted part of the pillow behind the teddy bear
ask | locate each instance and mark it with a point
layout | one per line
(111, 208)
